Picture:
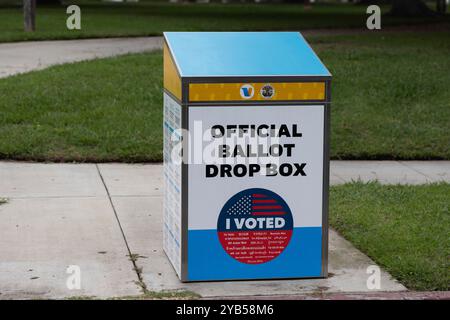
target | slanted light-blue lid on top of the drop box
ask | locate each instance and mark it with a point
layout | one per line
(242, 54)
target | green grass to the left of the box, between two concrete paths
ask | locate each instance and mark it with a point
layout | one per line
(102, 110)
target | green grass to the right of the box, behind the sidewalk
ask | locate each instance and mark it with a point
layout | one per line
(390, 95)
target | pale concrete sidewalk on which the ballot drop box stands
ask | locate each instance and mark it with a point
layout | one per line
(94, 216)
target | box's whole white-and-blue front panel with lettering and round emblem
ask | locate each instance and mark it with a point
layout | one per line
(255, 192)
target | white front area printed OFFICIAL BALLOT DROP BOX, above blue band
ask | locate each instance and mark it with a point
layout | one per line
(303, 193)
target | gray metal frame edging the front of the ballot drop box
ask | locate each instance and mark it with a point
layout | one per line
(185, 104)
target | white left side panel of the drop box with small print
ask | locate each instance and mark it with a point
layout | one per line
(172, 242)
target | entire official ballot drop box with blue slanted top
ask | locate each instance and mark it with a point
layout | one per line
(249, 114)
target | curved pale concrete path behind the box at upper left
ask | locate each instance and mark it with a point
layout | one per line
(26, 56)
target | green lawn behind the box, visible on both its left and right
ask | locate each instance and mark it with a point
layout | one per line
(390, 101)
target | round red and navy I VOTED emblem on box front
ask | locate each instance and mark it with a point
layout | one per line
(255, 226)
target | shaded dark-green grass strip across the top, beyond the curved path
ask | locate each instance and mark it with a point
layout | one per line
(152, 18)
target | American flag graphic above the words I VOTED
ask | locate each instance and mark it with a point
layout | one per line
(256, 204)
